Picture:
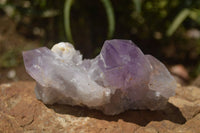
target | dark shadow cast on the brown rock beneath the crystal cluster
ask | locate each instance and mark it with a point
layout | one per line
(140, 117)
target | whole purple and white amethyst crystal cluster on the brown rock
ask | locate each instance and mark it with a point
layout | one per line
(121, 77)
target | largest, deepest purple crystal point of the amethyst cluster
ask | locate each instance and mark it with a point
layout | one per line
(125, 66)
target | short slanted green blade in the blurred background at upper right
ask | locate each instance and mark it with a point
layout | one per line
(177, 21)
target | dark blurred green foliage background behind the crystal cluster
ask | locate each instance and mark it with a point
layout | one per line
(169, 29)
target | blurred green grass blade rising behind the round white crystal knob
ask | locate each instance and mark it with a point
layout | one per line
(67, 7)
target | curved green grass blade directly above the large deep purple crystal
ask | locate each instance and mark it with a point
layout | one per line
(111, 17)
